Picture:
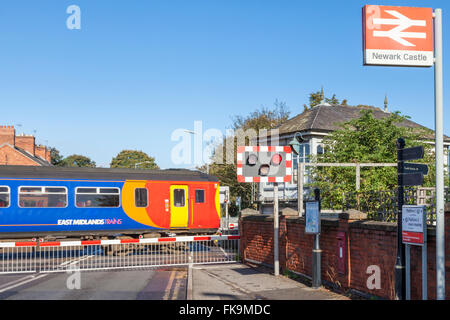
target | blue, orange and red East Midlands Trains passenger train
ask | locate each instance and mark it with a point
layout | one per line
(54, 201)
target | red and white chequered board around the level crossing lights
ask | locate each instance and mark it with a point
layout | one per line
(285, 163)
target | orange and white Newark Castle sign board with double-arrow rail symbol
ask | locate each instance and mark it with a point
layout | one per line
(398, 36)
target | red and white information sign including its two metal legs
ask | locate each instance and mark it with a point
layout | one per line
(414, 232)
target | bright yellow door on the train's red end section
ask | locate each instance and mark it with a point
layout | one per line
(179, 206)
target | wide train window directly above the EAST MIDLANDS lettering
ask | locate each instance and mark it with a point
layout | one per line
(97, 197)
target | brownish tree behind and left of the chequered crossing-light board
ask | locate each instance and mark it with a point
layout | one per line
(263, 118)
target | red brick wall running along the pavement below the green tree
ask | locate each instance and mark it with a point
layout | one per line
(367, 243)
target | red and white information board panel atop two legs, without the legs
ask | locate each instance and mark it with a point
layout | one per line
(414, 224)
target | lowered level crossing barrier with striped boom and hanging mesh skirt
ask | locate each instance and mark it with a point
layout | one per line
(60, 256)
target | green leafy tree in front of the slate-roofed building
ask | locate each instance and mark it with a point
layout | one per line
(366, 140)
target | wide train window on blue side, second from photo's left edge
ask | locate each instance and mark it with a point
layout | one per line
(42, 197)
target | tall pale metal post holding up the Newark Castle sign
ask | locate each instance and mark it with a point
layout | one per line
(439, 150)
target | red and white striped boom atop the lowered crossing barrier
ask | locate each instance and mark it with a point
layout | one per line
(109, 242)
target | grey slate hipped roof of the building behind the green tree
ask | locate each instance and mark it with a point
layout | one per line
(326, 118)
